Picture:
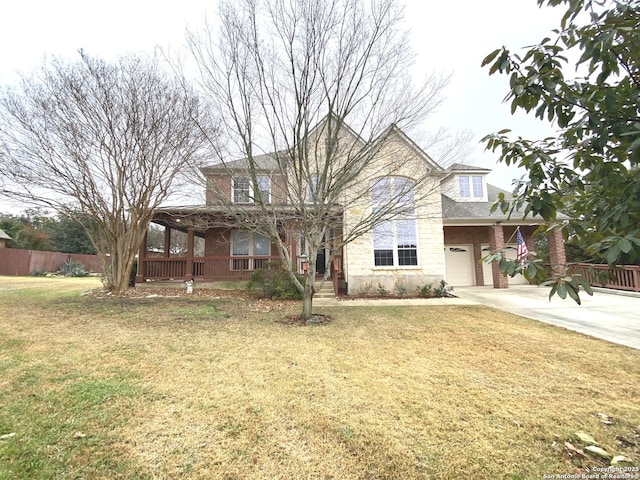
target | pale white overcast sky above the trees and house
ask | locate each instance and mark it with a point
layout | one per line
(448, 36)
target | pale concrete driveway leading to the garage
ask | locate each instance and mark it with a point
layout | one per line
(611, 317)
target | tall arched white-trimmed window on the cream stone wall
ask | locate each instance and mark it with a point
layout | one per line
(395, 241)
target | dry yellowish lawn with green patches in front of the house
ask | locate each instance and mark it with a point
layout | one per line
(205, 387)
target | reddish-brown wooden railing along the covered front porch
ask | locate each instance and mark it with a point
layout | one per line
(205, 268)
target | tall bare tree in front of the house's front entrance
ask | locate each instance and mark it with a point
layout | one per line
(315, 94)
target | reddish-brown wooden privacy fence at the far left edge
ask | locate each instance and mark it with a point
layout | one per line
(16, 262)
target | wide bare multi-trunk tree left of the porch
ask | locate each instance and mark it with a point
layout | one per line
(109, 140)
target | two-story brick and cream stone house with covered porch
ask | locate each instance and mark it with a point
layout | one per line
(444, 235)
